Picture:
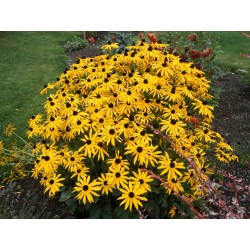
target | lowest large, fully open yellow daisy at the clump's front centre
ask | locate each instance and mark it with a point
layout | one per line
(131, 196)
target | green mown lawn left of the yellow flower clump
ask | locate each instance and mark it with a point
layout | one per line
(28, 60)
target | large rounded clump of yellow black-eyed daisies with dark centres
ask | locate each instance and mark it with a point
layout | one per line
(115, 121)
